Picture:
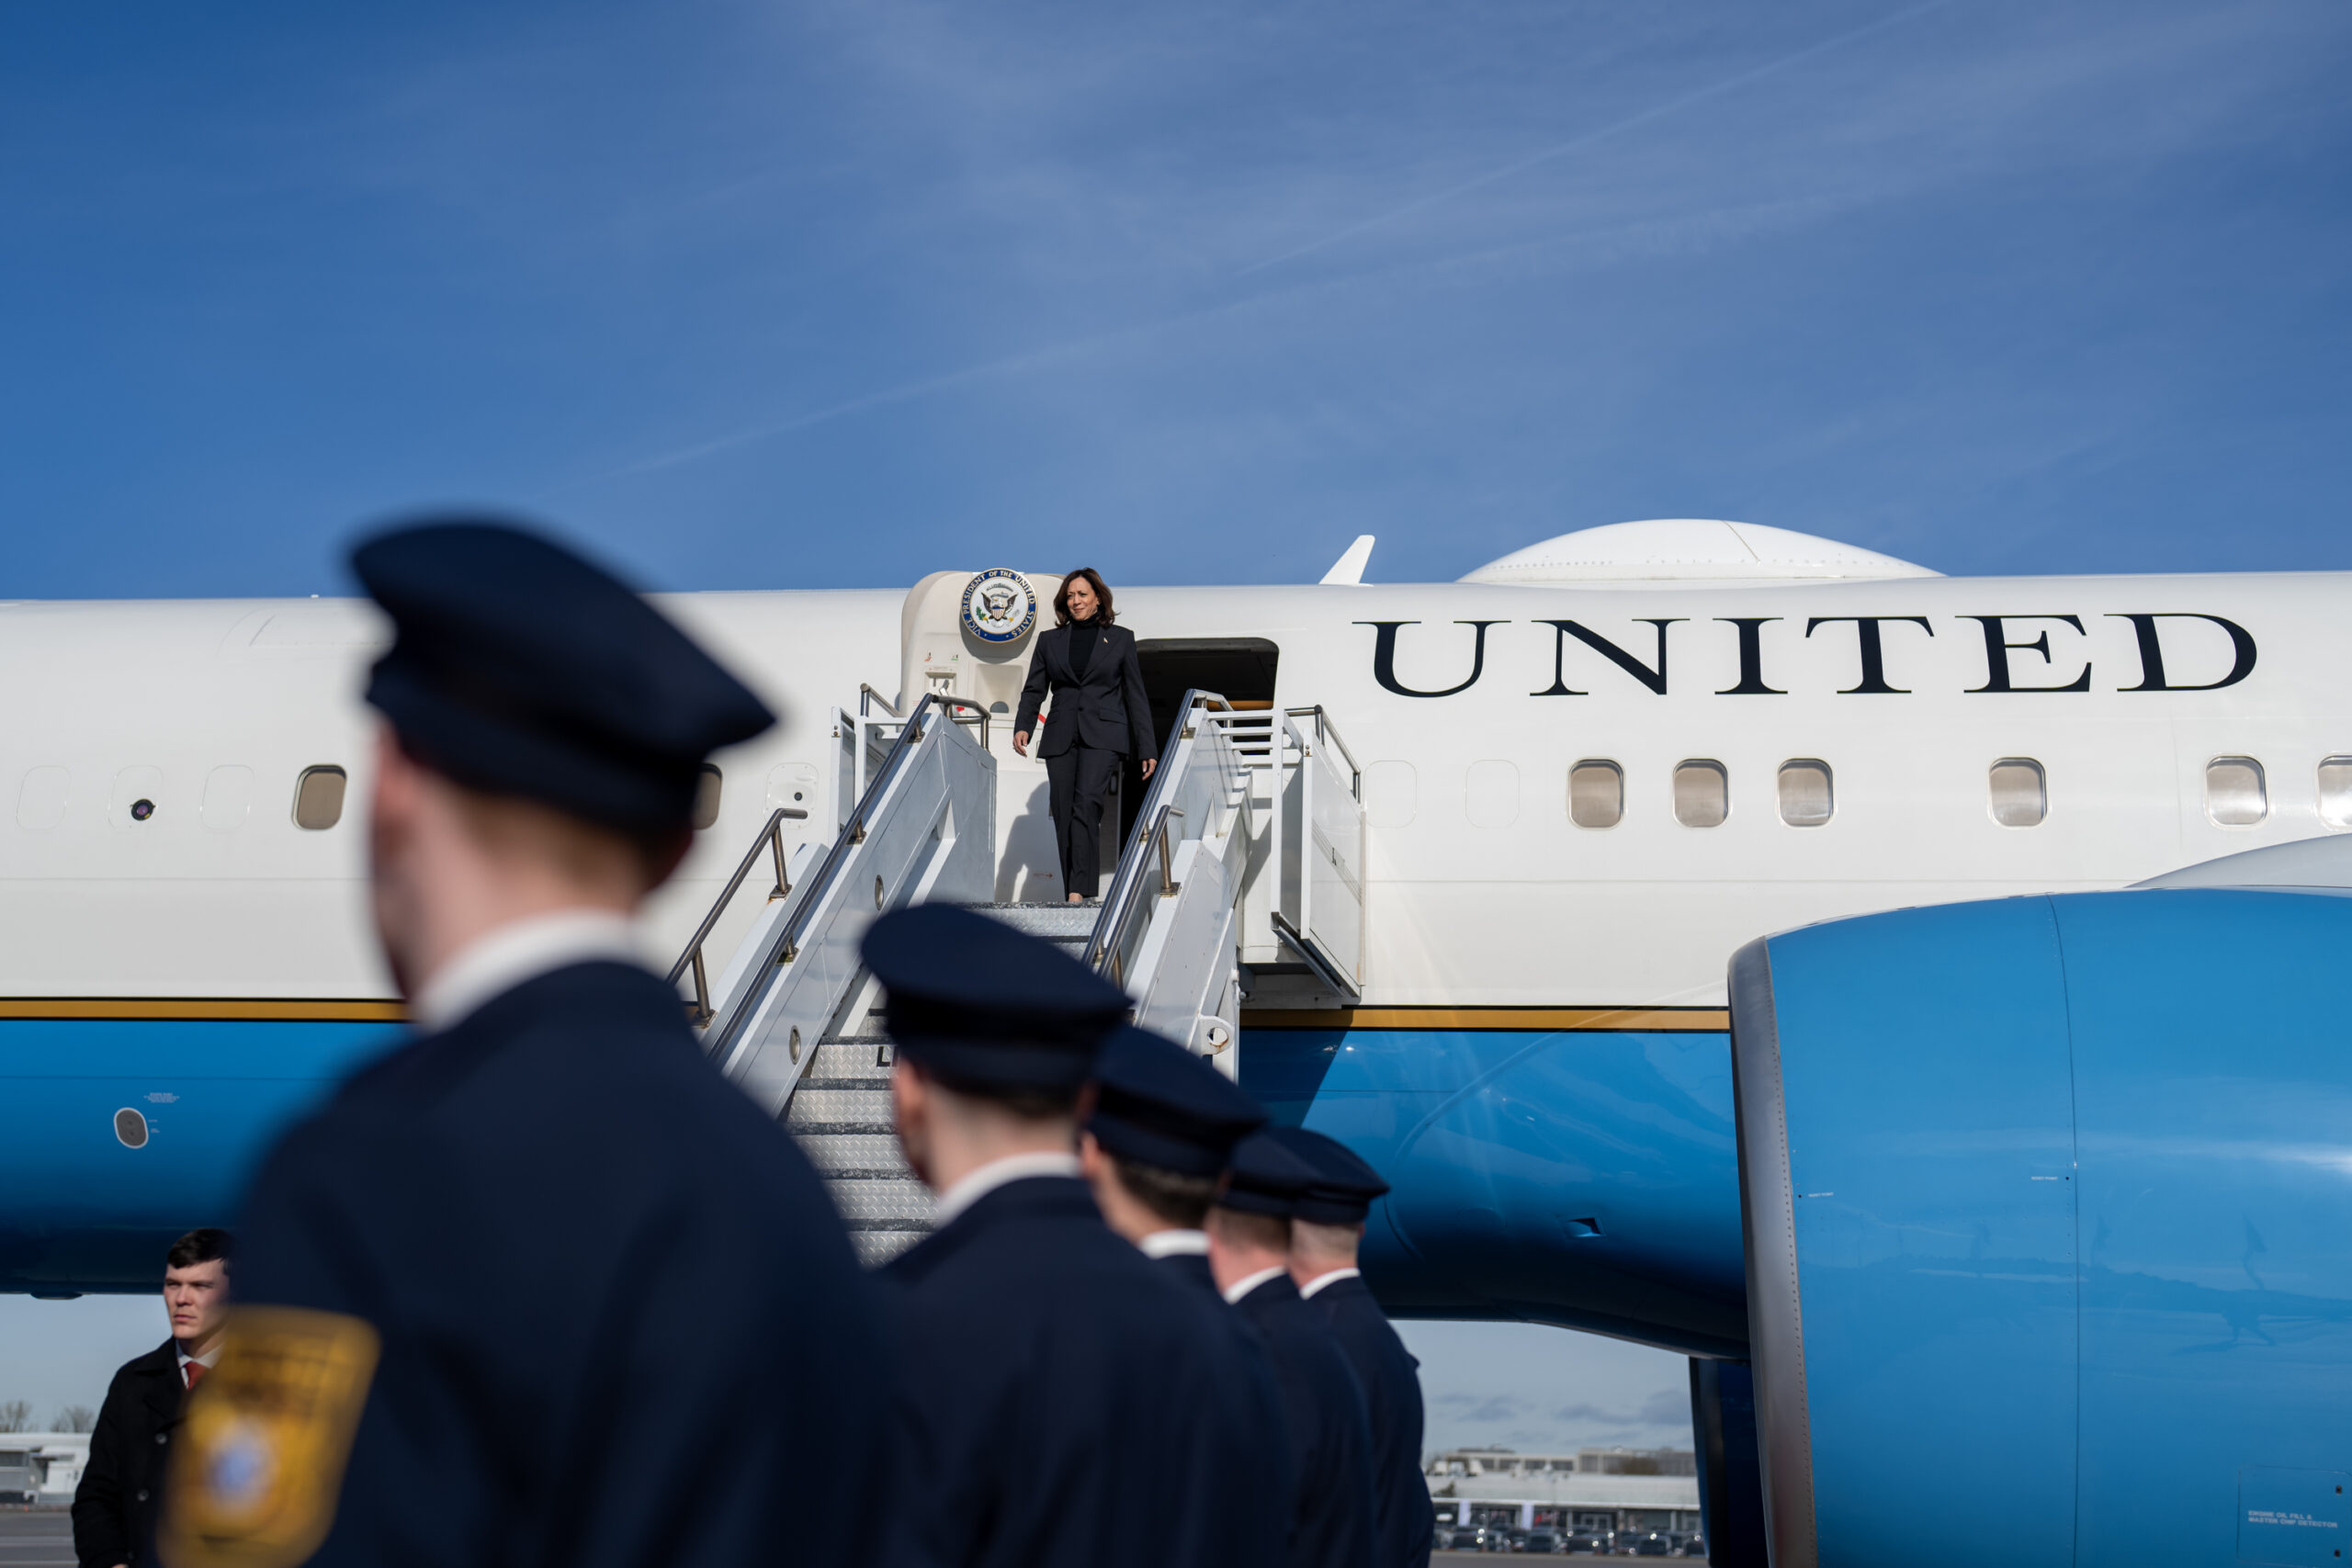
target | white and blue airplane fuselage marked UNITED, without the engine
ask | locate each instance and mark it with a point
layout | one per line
(1582, 779)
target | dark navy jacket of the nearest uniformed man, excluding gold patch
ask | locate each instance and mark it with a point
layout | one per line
(620, 1318)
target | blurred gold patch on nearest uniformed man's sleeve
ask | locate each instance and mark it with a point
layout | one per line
(269, 1430)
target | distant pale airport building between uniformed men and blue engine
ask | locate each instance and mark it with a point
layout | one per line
(1593, 1489)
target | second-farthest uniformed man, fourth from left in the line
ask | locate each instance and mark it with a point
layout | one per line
(1250, 1249)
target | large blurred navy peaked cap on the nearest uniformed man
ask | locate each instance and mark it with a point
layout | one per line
(521, 669)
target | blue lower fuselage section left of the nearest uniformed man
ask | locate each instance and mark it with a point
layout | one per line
(81, 1209)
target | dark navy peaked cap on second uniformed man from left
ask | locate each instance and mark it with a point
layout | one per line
(989, 1007)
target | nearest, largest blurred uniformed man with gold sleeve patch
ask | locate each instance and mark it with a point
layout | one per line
(561, 1294)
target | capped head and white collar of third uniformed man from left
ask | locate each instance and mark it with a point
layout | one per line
(1158, 1141)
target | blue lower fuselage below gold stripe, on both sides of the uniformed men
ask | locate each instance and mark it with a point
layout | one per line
(1549, 1177)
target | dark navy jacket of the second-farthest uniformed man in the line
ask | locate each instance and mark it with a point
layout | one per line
(1330, 1430)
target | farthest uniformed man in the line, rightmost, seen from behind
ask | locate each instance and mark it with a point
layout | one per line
(1328, 1228)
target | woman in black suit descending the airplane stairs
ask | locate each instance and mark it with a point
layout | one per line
(1100, 721)
